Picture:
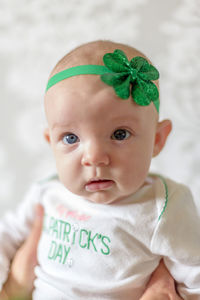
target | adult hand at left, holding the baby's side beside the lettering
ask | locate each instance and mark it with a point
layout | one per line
(21, 276)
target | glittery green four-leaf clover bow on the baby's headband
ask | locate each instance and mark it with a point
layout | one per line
(137, 73)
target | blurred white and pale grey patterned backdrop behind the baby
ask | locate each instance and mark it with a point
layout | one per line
(34, 34)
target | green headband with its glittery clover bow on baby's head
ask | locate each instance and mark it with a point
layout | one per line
(121, 74)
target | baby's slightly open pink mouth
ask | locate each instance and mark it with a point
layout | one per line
(95, 185)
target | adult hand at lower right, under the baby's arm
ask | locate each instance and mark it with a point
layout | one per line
(161, 286)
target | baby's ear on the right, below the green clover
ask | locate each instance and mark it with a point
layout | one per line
(163, 130)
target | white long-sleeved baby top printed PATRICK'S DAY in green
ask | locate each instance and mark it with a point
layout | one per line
(96, 251)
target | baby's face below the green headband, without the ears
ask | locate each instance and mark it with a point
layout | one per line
(102, 144)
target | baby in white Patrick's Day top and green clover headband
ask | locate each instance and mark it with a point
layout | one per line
(108, 222)
